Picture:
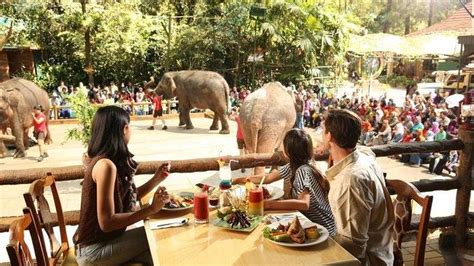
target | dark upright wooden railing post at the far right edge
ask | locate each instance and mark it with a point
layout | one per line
(465, 176)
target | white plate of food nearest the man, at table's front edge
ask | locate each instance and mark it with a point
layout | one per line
(293, 234)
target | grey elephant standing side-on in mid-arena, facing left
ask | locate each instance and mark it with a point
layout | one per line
(198, 89)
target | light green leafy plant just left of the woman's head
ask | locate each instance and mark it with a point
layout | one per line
(84, 112)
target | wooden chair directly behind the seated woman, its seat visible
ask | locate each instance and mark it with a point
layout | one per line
(61, 253)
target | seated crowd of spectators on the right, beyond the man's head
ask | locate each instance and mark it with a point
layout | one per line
(421, 118)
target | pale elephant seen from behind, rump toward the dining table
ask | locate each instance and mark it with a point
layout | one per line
(265, 116)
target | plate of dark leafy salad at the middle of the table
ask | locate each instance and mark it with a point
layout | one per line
(236, 220)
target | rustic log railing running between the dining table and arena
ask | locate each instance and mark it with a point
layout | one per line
(462, 183)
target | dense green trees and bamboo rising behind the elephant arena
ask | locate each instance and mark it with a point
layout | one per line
(130, 39)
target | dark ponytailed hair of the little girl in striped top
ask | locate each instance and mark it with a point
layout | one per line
(299, 149)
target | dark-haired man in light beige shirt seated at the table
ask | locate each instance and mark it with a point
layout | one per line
(359, 199)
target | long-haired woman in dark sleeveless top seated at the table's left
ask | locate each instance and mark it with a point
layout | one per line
(109, 196)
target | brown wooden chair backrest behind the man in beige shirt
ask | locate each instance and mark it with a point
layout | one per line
(406, 192)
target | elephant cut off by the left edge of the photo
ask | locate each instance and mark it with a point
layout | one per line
(17, 99)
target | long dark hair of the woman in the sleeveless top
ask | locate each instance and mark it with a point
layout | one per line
(108, 139)
